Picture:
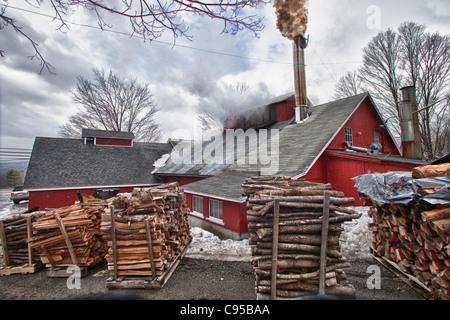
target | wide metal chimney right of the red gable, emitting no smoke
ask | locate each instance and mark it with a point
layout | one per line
(409, 124)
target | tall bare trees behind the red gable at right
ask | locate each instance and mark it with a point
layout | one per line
(409, 56)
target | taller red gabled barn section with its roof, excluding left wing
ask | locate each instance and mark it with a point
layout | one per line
(337, 142)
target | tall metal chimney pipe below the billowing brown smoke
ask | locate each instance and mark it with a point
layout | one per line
(301, 98)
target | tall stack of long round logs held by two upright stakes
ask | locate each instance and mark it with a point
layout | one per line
(301, 207)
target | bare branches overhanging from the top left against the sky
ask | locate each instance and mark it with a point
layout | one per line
(151, 18)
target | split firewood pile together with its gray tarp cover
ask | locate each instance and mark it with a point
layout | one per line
(412, 229)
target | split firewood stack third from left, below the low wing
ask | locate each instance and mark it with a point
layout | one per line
(151, 229)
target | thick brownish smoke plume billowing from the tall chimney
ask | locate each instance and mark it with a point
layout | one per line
(292, 17)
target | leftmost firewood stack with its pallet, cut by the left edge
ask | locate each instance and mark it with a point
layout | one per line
(18, 256)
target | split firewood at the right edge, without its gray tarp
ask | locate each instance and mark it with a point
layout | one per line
(416, 236)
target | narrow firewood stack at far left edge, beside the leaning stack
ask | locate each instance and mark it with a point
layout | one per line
(14, 234)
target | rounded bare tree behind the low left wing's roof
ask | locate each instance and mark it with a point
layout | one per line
(111, 103)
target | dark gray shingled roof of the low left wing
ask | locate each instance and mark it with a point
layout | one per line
(62, 163)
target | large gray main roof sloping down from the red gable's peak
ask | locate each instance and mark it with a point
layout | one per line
(299, 144)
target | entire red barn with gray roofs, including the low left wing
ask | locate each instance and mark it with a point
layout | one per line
(338, 141)
